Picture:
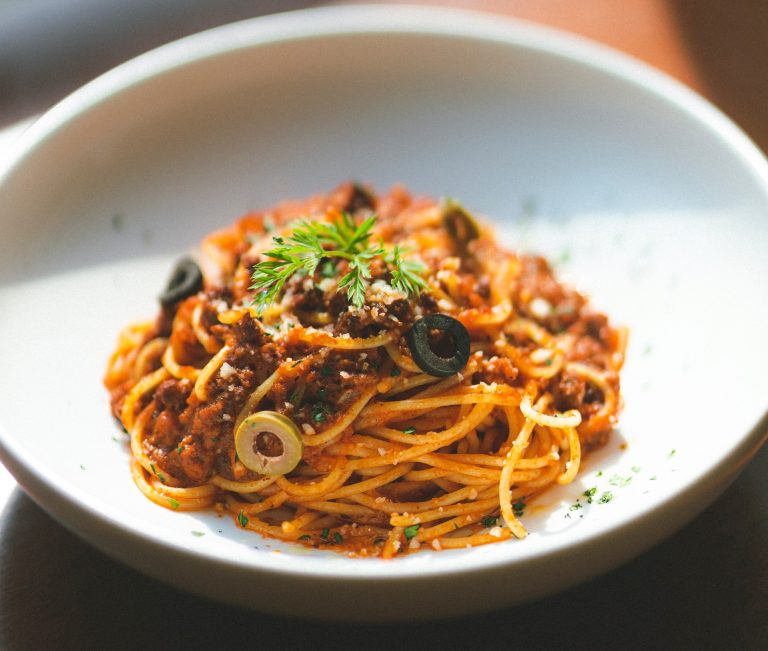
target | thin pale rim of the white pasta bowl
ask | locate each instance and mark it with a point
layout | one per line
(324, 22)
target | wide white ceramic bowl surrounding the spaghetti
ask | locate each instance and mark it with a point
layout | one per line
(650, 199)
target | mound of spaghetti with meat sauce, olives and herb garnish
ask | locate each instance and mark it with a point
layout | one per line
(363, 373)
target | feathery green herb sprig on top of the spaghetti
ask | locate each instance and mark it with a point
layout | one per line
(311, 243)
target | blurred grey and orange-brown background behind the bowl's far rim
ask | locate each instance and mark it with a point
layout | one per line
(719, 47)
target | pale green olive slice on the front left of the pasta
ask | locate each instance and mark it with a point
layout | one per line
(269, 443)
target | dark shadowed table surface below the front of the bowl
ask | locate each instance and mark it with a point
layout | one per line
(706, 587)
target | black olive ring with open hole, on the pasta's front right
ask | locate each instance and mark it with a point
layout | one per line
(426, 358)
